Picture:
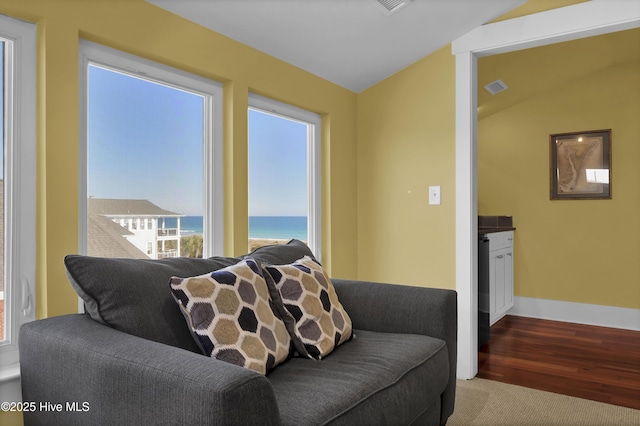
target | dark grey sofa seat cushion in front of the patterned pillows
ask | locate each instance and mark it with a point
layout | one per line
(403, 373)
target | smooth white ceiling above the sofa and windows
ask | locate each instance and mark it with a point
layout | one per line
(349, 42)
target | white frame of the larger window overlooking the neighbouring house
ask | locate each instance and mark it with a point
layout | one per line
(213, 214)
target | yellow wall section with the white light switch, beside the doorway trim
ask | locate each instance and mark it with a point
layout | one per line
(406, 142)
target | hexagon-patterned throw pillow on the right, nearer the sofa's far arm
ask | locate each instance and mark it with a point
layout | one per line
(321, 323)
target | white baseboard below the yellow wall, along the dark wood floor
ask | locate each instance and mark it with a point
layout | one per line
(581, 313)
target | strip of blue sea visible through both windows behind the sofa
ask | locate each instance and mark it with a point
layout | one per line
(274, 227)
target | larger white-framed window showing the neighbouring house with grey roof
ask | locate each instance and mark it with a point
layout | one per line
(152, 147)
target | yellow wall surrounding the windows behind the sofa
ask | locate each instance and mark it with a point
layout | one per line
(140, 28)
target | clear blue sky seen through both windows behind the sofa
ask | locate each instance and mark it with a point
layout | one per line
(145, 141)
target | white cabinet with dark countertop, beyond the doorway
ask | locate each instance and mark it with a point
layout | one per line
(500, 274)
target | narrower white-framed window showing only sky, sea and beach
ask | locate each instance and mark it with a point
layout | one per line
(284, 174)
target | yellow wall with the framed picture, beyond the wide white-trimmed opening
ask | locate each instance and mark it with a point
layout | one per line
(579, 251)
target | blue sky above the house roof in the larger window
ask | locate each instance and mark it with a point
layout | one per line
(144, 142)
